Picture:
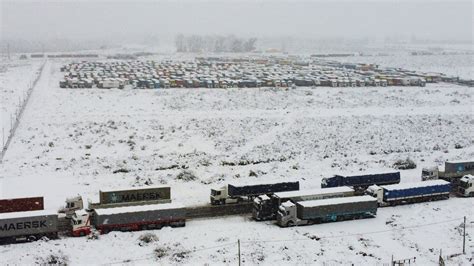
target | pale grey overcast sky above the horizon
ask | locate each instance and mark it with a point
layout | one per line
(39, 20)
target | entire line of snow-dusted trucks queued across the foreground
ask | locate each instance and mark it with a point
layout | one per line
(340, 198)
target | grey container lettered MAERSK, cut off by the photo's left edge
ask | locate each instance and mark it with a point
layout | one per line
(28, 226)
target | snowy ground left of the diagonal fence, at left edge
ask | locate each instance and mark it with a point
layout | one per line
(16, 77)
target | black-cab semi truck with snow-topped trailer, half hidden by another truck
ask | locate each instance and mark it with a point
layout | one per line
(265, 207)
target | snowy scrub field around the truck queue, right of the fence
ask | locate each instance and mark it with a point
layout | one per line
(72, 141)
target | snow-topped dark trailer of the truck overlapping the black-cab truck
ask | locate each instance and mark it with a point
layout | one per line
(335, 207)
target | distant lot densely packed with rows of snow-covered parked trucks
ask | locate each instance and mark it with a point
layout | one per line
(224, 73)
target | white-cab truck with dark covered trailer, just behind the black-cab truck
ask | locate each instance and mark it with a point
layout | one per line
(235, 194)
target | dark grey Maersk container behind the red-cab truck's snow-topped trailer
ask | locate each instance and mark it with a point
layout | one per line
(135, 195)
